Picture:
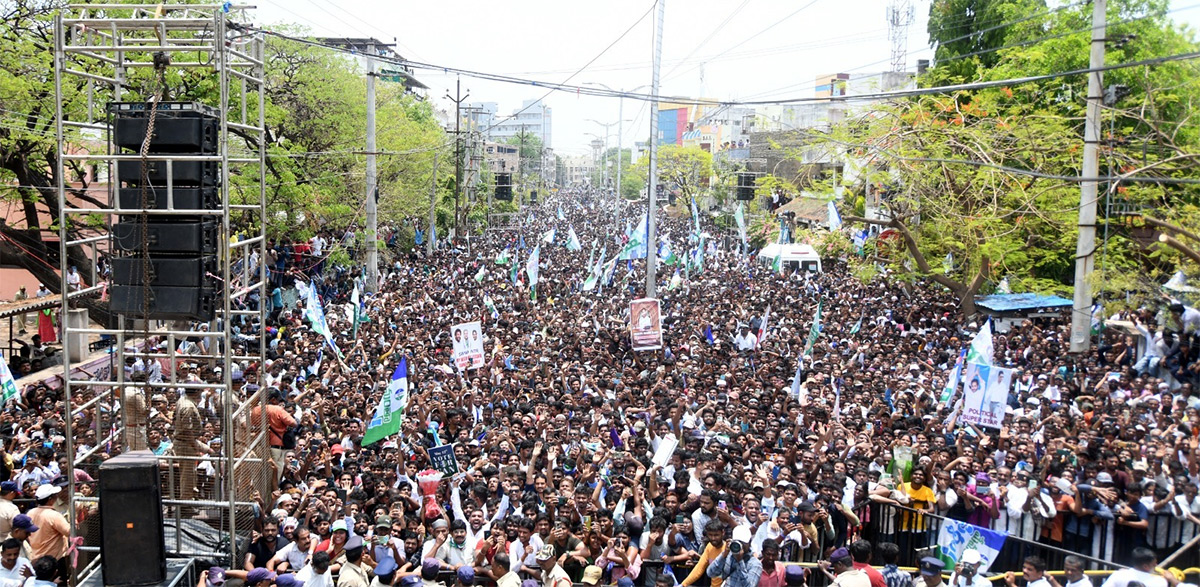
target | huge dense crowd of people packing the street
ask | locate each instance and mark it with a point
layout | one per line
(856, 464)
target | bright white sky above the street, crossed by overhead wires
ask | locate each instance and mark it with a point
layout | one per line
(549, 40)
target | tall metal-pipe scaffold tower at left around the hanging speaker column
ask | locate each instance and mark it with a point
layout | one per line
(139, 56)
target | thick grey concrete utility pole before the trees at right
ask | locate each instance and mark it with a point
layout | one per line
(1085, 249)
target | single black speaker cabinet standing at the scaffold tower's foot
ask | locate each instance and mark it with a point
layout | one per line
(134, 548)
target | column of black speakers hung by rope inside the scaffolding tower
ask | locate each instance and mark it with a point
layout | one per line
(170, 259)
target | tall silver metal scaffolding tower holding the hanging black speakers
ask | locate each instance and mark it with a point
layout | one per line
(98, 50)
